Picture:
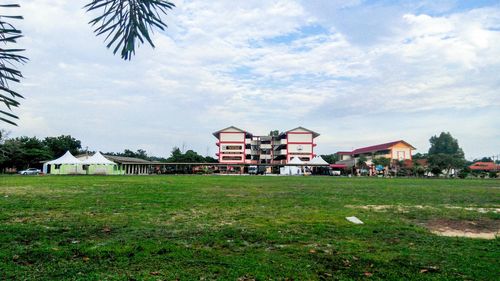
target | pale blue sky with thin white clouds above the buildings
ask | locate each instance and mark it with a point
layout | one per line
(358, 72)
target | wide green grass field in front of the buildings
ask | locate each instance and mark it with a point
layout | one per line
(244, 228)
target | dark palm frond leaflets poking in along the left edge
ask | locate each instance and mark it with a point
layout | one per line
(9, 59)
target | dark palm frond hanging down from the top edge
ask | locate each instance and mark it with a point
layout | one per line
(123, 22)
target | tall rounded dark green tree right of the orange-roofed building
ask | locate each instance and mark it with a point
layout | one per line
(445, 153)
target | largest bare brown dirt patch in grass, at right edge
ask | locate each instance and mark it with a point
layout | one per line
(482, 229)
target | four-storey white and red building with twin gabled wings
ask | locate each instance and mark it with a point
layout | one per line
(237, 146)
